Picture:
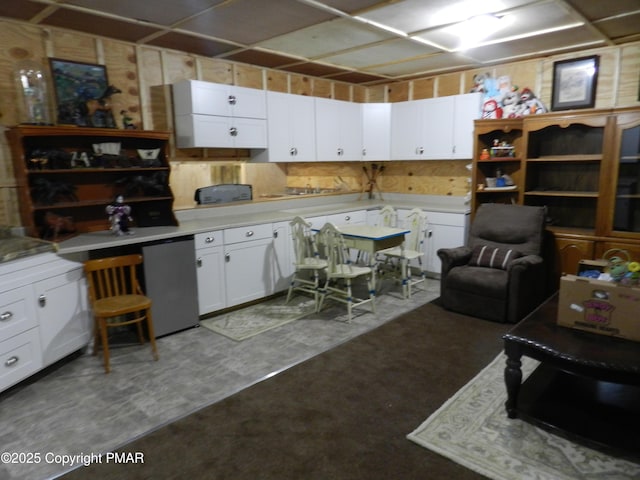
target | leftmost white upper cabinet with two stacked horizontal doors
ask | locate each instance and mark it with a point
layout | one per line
(215, 115)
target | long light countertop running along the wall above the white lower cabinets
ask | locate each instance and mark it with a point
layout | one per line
(207, 218)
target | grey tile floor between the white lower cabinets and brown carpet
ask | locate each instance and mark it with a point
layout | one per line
(76, 409)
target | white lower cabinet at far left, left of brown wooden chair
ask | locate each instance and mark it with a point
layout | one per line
(44, 314)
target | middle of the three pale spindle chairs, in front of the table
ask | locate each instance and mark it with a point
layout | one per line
(341, 272)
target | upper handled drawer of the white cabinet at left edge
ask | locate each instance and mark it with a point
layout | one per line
(16, 313)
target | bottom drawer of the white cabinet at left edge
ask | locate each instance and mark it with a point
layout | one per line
(20, 356)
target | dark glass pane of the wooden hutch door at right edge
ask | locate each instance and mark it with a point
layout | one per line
(626, 215)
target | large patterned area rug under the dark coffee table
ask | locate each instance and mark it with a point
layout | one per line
(472, 429)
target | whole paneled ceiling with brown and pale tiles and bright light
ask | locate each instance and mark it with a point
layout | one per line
(357, 41)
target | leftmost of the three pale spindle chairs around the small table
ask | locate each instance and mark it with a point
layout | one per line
(308, 264)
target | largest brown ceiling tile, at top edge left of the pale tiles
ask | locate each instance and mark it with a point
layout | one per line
(250, 21)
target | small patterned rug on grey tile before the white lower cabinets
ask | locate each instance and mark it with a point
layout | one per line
(255, 319)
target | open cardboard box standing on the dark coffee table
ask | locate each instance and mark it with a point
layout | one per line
(601, 307)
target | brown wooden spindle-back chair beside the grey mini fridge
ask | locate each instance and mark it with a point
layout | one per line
(117, 300)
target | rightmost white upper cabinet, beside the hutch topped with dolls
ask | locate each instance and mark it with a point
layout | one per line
(435, 128)
